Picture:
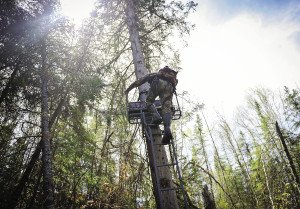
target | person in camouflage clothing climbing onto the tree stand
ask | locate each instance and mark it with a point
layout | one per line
(162, 84)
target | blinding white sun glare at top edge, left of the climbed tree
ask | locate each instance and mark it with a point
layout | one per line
(77, 10)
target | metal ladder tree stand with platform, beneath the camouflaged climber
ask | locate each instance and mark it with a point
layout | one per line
(138, 114)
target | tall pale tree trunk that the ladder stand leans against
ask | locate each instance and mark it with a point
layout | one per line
(169, 199)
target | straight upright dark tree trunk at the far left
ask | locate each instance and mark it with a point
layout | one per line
(46, 146)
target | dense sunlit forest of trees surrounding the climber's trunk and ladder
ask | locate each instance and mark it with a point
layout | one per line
(65, 141)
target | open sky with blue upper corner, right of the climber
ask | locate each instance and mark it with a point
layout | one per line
(238, 45)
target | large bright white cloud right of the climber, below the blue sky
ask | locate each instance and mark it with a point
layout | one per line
(225, 59)
